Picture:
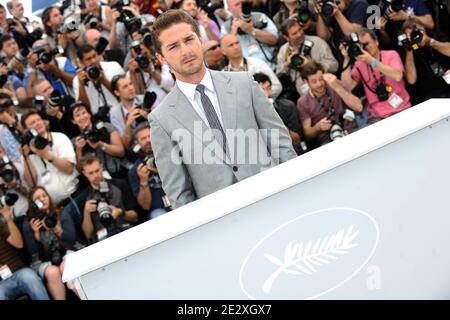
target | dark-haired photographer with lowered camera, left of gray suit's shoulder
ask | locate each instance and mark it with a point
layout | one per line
(132, 109)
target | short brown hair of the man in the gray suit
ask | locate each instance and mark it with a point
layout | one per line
(167, 20)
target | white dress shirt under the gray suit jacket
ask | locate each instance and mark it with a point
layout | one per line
(194, 97)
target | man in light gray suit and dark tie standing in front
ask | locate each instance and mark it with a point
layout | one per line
(214, 128)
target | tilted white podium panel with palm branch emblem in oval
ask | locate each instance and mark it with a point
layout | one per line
(364, 217)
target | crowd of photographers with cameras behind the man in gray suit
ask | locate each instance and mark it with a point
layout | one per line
(77, 85)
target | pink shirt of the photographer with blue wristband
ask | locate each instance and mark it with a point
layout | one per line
(382, 109)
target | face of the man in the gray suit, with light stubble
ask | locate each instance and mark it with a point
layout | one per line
(182, 50)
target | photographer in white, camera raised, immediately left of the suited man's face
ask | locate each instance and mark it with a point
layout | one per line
(146, 75)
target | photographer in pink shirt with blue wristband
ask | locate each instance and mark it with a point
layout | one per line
(381, 73)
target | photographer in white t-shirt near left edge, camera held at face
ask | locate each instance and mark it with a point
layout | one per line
(52, 163)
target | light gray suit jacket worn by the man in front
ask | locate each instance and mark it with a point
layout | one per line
(180, 139)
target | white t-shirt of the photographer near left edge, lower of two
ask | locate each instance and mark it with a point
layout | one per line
(58, 184)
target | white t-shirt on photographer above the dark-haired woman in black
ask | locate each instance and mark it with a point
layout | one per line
(110, 69)
